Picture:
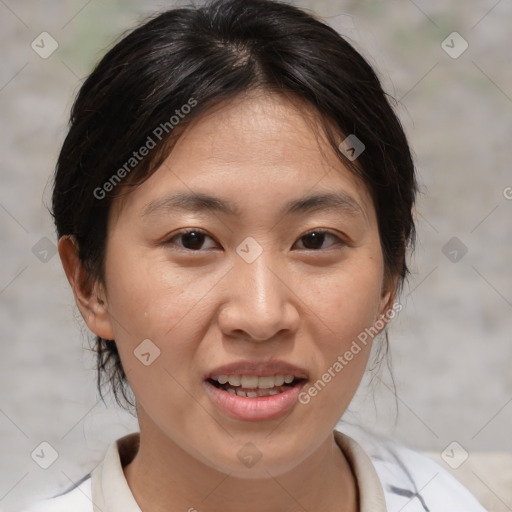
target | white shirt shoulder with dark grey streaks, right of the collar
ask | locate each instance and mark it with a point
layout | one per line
(412, 479)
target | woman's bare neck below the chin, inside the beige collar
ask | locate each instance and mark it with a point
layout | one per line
(163, 477)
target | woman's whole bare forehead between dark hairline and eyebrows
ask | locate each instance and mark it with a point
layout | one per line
(258, 149)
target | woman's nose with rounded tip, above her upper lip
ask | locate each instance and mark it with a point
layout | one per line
(260, 303)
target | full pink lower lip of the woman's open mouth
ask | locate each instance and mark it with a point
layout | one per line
(254, 409)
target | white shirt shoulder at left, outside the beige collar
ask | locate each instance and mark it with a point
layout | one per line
(74, 499)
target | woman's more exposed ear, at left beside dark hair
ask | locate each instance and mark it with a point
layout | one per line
(90, 296)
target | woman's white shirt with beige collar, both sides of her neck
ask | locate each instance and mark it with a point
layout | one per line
(390, 478)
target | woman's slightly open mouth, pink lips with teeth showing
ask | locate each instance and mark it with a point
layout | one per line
(255, 392)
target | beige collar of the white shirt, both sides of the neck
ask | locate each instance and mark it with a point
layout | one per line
(111, 493)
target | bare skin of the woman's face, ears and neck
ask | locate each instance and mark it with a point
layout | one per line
(304, 304)
